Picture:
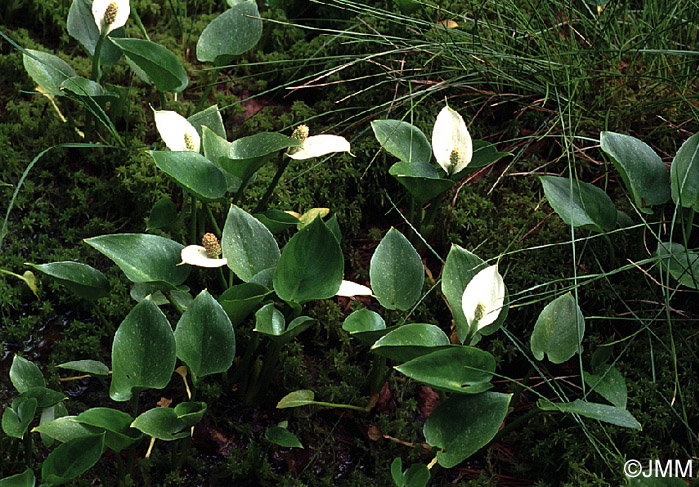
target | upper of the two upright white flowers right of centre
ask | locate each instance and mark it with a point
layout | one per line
(451, 142)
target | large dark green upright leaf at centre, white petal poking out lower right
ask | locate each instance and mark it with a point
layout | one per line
(311, 265)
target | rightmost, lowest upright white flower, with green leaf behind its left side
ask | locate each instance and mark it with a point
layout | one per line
(483, 298)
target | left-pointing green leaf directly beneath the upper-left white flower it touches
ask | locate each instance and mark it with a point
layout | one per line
(193, 172)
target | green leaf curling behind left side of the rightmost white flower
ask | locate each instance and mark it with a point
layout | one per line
(459, 268)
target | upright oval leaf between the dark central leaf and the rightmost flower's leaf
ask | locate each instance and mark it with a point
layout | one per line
(396, 272)
